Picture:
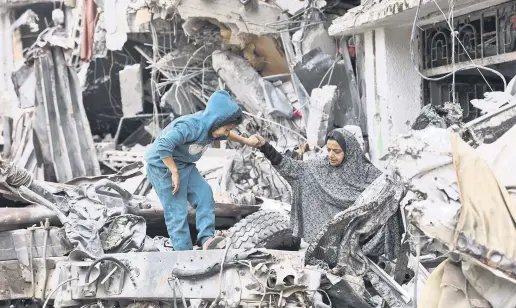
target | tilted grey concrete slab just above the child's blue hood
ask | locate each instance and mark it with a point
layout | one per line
(242, 79)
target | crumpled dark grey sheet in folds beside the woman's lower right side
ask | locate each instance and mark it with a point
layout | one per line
(372, 222)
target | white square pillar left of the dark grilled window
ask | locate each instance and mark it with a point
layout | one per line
(393, 91)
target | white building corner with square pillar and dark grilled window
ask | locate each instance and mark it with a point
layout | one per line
(383, 31)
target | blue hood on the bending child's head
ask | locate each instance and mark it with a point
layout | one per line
(220, 110)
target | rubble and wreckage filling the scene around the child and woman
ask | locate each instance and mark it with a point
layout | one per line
(97, 81)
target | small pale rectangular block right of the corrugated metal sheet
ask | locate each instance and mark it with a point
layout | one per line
(131, 90)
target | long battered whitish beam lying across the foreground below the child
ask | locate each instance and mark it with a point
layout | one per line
(152, 271)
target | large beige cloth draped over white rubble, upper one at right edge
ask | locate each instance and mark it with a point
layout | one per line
(488, 214)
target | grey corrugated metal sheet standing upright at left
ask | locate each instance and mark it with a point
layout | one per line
(62, 135)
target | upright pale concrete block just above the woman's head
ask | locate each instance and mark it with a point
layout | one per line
(321, 110)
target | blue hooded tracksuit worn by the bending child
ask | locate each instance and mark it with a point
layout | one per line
(186, 139)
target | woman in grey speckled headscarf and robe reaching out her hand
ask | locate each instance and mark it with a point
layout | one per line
(322, 188)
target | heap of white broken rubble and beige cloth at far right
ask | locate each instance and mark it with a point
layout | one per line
(435, 165)
